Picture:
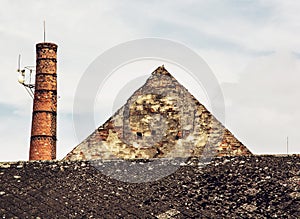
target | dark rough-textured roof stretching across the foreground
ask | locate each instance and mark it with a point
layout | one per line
(228, 187)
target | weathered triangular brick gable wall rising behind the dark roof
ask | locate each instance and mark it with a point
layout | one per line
(161, 119)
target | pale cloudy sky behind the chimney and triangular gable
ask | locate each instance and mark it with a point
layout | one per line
(252, 47)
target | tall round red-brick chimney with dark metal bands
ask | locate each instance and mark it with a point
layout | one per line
(43, 130)
